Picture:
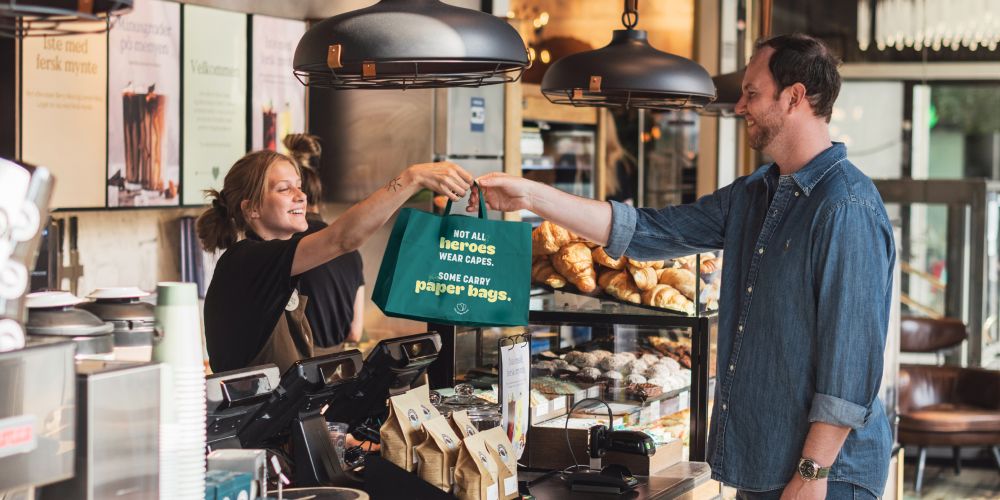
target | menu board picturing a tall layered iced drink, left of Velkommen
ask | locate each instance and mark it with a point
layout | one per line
(144, 106)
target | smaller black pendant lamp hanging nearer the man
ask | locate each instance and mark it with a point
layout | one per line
(628, 73)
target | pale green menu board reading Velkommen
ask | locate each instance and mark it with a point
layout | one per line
(215, 93)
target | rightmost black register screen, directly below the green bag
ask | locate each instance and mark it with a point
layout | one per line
(390, 369)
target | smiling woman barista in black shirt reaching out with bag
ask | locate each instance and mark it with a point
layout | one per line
(253, 311)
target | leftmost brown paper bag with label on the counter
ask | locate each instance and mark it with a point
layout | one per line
(403, 429)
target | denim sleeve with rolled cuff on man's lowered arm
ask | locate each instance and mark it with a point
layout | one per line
(853, 258)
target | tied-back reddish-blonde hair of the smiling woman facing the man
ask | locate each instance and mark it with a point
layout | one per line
(221, 226)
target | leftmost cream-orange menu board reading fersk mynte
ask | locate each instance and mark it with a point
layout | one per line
(63, 114)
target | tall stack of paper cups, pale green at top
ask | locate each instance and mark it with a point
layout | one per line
(182, 404)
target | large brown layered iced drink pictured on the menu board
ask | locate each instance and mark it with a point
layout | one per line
(144, 125)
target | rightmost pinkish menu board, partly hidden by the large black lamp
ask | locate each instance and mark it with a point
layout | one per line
(278, 106)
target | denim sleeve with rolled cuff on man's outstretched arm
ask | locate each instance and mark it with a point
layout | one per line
(647, 233)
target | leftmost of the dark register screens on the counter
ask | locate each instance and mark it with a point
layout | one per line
(231, 398)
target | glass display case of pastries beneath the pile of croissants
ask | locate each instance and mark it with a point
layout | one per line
(655, 367)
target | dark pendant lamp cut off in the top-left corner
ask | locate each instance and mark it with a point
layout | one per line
(26, 18)
